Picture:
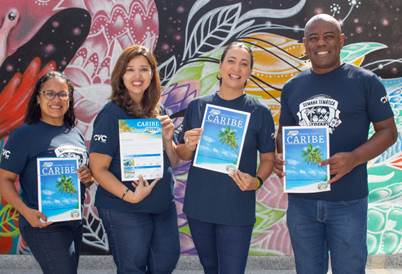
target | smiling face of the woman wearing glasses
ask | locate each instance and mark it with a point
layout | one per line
(53, 110)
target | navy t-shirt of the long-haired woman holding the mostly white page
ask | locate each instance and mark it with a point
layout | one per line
(105, 140)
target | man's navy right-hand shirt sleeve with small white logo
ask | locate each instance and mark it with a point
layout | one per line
(378, 106)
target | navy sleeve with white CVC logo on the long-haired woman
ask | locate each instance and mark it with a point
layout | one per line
(105, 134)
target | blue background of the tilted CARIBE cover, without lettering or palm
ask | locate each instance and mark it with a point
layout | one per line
(212, 150)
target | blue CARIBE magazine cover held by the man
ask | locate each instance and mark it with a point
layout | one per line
(303, 150)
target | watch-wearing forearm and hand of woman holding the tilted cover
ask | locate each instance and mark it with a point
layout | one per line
(246, 182)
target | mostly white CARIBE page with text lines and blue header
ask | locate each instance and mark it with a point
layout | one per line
(141, 148)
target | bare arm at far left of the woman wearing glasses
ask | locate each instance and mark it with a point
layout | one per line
(9, 192)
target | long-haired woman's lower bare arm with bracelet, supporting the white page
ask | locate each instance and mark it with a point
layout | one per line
(99, 165)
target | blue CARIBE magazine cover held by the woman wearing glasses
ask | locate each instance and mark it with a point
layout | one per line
(59, 193)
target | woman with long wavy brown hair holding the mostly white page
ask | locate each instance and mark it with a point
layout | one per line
(139, 216)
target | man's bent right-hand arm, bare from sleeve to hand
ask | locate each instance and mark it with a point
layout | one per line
(342, 163)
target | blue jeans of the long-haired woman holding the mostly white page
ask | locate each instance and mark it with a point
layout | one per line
(142, 242)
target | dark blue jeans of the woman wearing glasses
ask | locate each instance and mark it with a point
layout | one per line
(56, 247)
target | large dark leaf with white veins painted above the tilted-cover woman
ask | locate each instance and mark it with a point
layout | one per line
(212, 30)
